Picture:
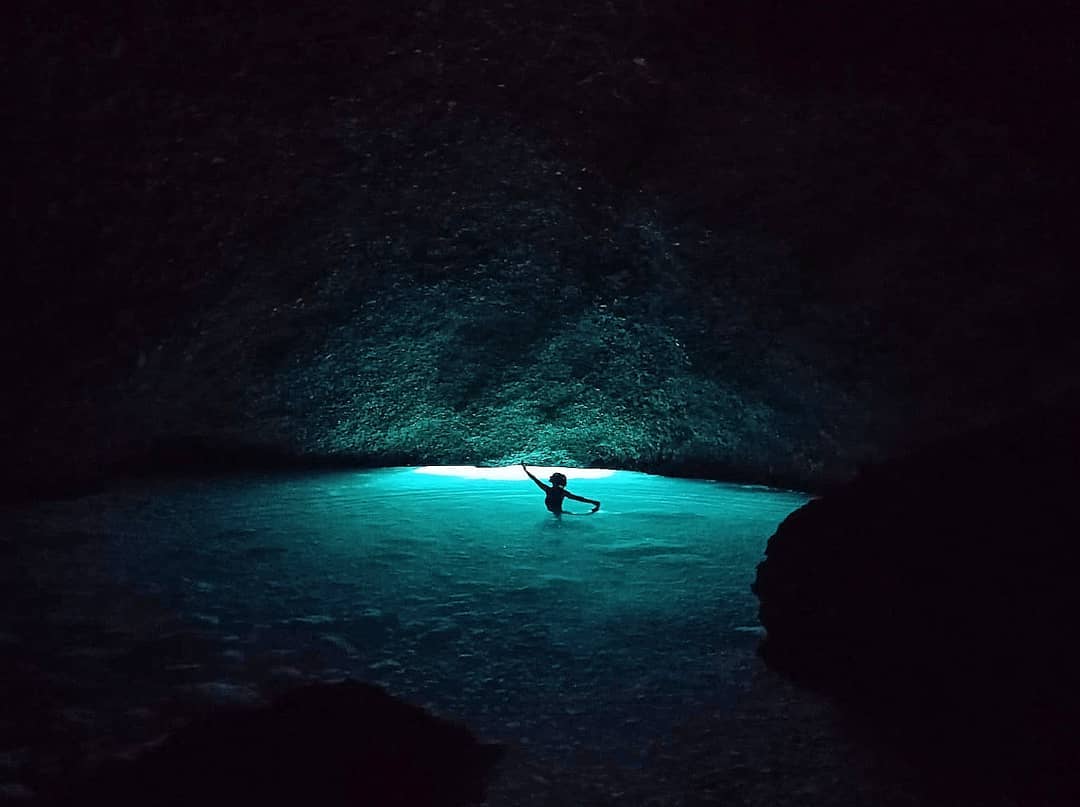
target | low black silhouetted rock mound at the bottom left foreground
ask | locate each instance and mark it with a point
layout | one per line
(346, 744)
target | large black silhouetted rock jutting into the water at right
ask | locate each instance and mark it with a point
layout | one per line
(938, 595)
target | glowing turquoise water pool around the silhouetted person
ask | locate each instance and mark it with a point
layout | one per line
(595, 634)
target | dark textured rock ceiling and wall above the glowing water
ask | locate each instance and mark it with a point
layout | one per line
(764, 247)
